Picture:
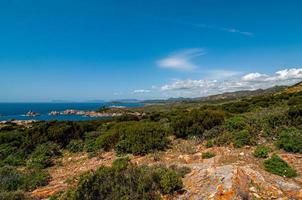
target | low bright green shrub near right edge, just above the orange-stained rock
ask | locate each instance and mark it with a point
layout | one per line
(279, 167)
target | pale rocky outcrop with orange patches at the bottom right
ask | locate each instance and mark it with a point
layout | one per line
(231, 181)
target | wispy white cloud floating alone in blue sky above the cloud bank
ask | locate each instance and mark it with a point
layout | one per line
(181, 60)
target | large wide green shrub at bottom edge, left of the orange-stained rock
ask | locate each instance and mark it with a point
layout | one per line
(125, 181)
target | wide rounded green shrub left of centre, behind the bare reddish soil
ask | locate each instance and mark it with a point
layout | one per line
(138, 138)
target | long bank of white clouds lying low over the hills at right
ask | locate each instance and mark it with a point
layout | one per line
(251, 81)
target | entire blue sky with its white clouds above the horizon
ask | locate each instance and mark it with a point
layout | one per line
(113, 49)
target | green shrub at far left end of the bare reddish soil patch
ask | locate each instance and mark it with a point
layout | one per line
(43, 155)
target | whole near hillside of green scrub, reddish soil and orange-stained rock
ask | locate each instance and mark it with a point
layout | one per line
(245, 147)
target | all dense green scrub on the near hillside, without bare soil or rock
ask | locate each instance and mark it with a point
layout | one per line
(26, 152)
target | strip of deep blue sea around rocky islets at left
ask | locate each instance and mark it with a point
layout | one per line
(17, 111)
